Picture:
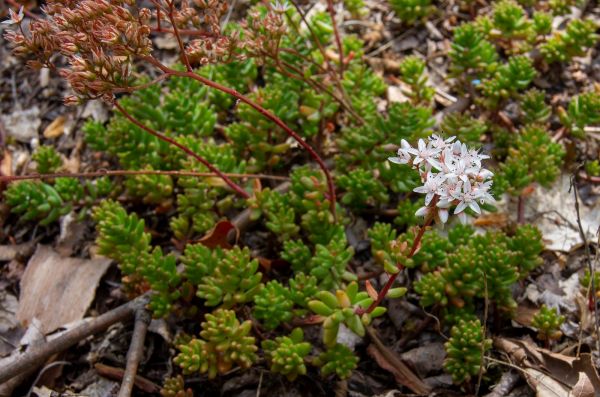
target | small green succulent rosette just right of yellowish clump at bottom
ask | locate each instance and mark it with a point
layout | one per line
(286, 354)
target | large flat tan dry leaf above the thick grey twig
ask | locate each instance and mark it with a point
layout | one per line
(58, 290)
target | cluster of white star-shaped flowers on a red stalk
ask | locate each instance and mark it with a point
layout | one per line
(451, 173)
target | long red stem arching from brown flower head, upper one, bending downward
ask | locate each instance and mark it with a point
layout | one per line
(261, 110)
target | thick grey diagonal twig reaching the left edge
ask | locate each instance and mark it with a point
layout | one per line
(39, 355)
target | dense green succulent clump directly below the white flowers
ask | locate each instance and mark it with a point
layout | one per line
(477, 267)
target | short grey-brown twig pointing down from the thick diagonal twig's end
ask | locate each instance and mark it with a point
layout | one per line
(135, 353)
